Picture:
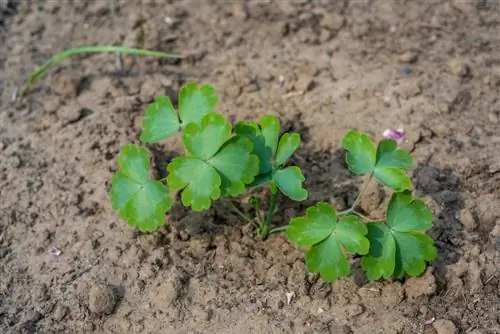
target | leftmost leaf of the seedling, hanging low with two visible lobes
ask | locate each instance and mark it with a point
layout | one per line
(140, 201)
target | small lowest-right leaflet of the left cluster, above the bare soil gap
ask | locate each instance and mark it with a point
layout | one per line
(289, 180)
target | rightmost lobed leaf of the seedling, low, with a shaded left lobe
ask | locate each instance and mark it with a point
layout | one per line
(400, 246)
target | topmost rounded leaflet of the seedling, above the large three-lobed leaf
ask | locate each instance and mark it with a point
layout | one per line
(195, 102)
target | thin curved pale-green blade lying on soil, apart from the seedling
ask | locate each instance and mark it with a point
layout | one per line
(59, 57)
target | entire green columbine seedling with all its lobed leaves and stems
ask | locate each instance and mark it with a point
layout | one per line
(223, 161)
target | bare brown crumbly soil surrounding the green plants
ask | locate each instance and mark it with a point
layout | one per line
(430, 66)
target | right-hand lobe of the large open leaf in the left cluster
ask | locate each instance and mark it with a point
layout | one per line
(236, 165)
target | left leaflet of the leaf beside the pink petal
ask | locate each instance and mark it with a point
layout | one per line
(361, 152)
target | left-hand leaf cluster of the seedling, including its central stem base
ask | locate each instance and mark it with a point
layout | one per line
(220, 162)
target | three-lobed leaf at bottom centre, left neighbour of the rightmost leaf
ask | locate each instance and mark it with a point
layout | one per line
(328, 240)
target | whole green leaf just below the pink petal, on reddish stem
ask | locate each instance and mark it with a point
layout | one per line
(386, 162)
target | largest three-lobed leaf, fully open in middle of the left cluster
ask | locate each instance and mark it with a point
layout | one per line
(218, 164)
